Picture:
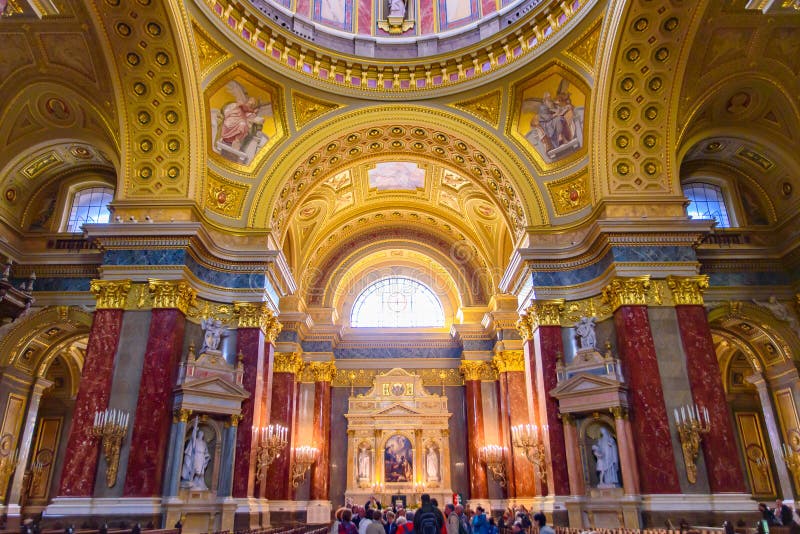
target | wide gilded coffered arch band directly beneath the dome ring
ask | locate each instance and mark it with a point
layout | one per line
(390, 131)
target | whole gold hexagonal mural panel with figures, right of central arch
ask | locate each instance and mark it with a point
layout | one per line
(548, 119)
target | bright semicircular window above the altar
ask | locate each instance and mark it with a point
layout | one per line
(397, 302)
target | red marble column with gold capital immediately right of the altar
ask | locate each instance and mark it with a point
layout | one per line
(478, 483)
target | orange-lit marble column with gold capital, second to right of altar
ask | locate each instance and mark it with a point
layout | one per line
(511, 366)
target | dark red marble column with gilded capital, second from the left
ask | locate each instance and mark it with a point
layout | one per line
(151, 424)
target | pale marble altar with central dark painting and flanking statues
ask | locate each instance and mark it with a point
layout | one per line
(398, 442)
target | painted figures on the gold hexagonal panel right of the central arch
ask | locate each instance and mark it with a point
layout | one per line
(556, 128)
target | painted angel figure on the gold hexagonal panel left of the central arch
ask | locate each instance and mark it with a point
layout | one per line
(238, 125)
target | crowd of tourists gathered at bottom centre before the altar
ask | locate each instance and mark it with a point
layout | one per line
(429, 518)
